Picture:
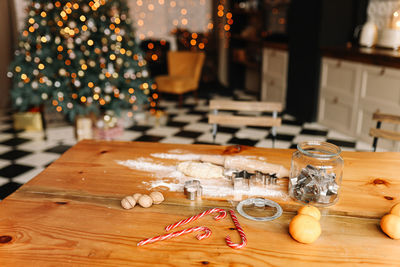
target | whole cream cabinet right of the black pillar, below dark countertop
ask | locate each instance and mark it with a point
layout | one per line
(350, 92)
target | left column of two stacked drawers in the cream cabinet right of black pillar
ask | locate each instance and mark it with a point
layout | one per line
(339, 87)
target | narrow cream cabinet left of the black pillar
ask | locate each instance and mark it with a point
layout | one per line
(274, 75)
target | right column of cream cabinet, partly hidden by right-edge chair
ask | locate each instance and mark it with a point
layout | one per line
(380, 89)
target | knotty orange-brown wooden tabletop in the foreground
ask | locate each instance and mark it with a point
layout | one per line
(70, 214)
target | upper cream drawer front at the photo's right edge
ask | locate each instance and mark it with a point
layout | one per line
(380, 85)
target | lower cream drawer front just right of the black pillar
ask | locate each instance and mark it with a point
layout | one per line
(336, 112)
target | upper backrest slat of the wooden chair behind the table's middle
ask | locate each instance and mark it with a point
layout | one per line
(245, 105)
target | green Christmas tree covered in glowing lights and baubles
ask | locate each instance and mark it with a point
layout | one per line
(80, 56)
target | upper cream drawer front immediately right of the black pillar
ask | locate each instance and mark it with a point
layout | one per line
(340, 75)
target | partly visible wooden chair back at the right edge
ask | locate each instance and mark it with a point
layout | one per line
(381, 133)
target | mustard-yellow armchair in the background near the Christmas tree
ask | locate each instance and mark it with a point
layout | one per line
(184, 71)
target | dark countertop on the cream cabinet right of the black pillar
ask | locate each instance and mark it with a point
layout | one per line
(374, 56)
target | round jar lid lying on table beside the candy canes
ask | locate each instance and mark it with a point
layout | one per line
(259, 202)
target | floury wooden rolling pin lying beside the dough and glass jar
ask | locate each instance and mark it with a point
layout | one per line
(243, 163)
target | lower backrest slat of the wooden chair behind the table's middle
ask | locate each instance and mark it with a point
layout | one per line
(244, 120)
